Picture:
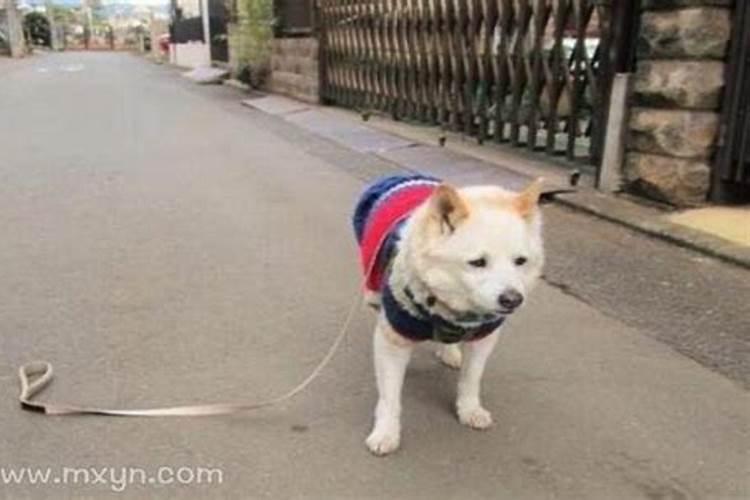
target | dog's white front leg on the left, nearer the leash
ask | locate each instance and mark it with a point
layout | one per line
(392, 354)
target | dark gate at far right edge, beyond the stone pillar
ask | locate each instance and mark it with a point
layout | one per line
(731, 180)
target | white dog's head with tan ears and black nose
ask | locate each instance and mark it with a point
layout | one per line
(479, 248)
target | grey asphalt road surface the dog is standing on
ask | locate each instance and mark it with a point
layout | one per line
(164, 245)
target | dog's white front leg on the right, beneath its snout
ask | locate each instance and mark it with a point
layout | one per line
(468, 404)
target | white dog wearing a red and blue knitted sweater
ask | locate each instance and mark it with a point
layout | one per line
(447, 265)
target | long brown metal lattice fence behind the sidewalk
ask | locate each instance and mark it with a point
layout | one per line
(533, 73)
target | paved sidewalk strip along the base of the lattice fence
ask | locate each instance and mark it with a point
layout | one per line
(463, 161)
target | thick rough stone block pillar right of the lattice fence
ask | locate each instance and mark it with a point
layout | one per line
(676, 98)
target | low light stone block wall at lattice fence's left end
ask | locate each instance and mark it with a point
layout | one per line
(294, 68)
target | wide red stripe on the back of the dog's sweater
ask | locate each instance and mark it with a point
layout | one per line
(381, 222)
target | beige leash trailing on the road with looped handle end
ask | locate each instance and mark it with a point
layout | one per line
(37, 376)
